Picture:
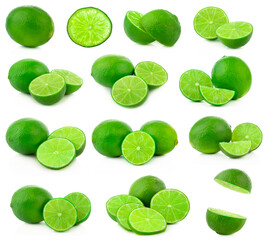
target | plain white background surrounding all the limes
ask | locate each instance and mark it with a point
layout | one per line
(100, 177)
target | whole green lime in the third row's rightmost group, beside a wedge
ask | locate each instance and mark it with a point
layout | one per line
(208, 132)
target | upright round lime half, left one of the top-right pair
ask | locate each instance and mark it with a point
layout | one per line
(208, 20)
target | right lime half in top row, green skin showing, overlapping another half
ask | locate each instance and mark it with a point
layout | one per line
(162, 25)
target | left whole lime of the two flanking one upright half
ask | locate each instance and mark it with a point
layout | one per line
(108, 136)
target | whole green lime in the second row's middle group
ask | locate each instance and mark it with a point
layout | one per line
(107, 69)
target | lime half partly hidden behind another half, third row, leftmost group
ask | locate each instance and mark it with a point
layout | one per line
(74, 135)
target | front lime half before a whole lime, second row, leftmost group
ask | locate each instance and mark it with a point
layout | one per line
(48, 88)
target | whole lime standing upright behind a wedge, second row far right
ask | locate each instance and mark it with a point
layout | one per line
(232, 73)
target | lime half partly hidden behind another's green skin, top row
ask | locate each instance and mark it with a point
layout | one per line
(134, 30)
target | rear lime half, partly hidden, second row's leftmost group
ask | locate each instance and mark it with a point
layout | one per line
(73, 81)
